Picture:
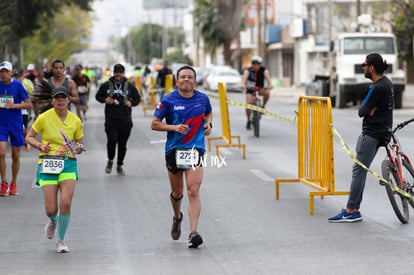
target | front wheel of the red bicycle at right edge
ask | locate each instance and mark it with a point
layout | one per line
(399, 203)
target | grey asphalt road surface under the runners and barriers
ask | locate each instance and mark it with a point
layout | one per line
(120, 225)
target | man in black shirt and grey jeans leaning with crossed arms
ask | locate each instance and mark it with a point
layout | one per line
(376, 111)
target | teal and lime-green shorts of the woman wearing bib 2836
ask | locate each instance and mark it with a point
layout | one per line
(70, 171)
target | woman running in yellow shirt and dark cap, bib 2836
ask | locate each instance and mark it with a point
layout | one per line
(58, 127)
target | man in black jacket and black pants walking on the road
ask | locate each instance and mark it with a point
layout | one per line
(119, 96)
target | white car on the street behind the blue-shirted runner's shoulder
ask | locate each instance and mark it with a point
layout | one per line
(226, 74)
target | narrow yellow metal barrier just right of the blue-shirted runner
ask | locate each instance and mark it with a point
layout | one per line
(225, 122)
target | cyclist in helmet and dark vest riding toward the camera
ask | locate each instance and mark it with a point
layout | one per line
(253, 80)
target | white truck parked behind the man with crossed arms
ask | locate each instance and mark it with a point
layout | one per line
(349, 82)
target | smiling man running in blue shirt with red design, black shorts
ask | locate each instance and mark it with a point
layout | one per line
(188, 118)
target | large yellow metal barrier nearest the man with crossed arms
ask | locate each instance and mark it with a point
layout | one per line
(315, 148)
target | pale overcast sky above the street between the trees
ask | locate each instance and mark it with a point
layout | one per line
(115, 17)
